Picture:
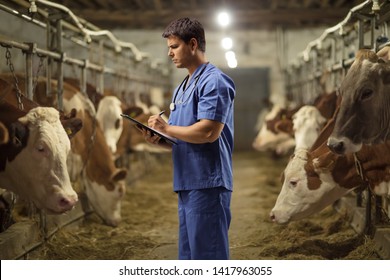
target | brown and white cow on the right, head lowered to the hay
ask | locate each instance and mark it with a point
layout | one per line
(314, 179)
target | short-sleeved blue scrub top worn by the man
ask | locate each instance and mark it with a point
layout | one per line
(209, 165)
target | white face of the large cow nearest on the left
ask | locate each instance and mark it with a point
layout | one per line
(39, 172)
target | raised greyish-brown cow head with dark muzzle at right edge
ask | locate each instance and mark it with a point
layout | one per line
(363, 117)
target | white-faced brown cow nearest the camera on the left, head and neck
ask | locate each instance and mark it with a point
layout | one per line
(33, 161)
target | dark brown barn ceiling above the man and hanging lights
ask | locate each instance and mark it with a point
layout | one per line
(246, 14)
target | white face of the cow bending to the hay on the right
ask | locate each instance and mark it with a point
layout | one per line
(298, 199)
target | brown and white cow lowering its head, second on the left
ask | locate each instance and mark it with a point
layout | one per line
(91, 159)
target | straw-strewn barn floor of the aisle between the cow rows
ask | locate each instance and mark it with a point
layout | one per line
(149, 227)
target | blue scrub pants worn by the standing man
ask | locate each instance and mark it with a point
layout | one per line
(204, 220)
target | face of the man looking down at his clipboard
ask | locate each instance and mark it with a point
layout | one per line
(179, 52)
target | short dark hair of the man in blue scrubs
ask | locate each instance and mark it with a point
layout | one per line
(186, 29)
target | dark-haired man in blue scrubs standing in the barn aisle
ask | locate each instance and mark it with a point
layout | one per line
(201, 119)
